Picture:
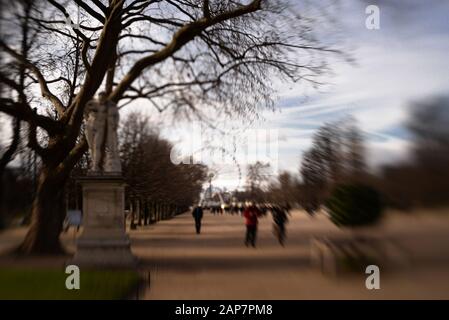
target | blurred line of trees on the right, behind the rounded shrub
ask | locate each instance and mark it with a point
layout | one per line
(337, 157)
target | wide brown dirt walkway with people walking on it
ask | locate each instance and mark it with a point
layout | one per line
(216, 264)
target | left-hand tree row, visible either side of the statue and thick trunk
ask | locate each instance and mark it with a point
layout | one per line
(156, 188)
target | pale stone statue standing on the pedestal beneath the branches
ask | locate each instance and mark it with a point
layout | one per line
(102, 119)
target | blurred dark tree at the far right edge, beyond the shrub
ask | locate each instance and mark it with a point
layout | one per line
(424, 180)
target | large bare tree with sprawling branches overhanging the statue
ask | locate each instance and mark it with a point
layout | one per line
(181, 55)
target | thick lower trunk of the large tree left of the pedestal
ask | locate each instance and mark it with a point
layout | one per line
(47, 216)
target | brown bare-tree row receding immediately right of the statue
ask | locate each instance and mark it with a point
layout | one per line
(157, 187)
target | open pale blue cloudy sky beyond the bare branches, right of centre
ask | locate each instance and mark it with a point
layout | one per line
(404, 61)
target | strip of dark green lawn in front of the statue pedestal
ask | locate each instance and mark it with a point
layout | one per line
(47, 284)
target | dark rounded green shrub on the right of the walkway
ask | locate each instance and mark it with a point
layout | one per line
(354, 205)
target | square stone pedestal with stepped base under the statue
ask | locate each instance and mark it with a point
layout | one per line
(103, 242)
